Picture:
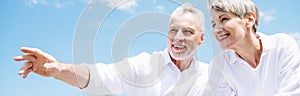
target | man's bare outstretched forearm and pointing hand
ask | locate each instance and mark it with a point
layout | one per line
(44, 64)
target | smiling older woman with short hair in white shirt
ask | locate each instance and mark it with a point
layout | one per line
(250, 63)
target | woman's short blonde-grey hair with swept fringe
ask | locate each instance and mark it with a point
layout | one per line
(237, 7)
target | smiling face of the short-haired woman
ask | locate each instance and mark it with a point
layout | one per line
(229, 29)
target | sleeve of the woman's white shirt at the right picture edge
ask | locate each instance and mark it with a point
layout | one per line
(289, 76)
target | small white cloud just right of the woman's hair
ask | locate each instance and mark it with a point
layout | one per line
(268, 16)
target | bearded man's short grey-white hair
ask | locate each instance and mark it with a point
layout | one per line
(187, 7)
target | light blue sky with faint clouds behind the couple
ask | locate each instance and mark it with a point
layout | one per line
(51, 25)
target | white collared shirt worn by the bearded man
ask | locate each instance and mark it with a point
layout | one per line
(147, 75)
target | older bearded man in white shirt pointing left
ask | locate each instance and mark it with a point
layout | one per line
(173, 71)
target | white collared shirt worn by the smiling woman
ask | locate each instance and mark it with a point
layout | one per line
(278, 73)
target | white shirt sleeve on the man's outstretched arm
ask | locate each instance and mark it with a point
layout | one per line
(110, 78)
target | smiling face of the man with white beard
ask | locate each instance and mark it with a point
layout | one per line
(184, 36)
